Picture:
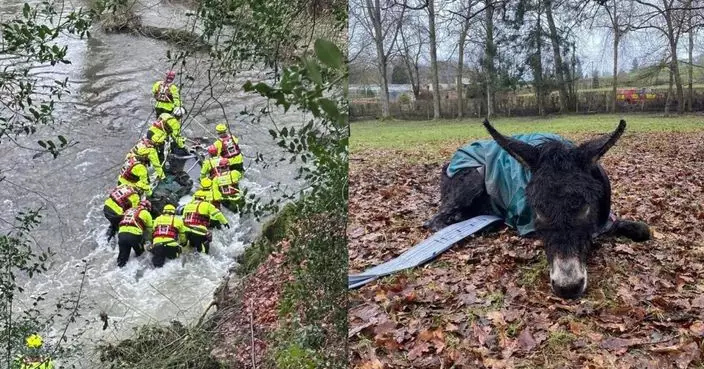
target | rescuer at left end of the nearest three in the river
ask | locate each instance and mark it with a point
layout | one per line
(135, 226)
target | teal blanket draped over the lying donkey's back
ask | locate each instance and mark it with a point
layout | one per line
(505, 178)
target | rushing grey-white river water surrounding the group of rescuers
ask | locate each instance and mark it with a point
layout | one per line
(111, 77)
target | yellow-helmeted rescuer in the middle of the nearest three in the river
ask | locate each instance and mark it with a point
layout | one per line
(168, 236)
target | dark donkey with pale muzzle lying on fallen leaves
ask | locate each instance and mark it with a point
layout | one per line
(567, 200)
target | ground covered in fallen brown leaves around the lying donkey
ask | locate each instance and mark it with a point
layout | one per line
(486, 301)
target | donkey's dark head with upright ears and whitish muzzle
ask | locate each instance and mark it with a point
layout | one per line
(565, 196)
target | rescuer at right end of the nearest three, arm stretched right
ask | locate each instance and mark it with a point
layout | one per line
(198, 215)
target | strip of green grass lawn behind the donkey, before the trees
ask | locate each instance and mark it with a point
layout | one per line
(410, 135)
